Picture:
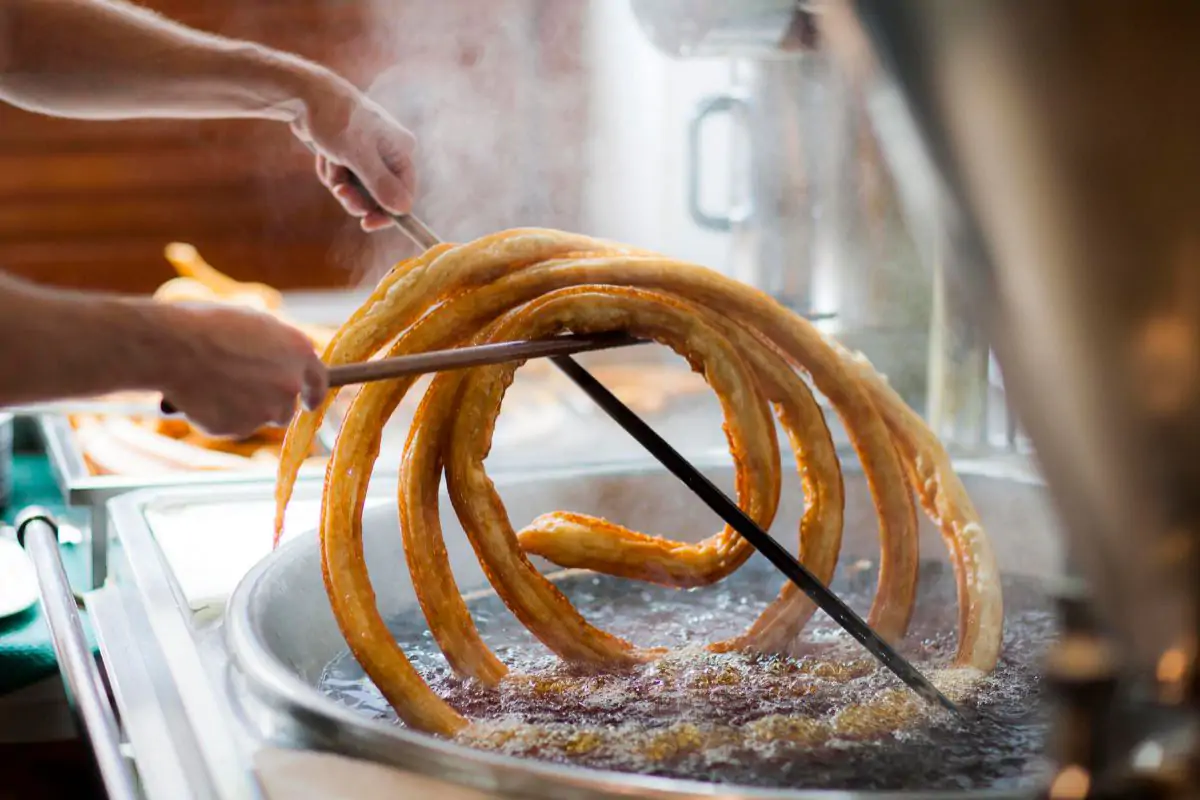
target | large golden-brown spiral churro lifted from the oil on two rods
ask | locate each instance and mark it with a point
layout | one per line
(535, 284)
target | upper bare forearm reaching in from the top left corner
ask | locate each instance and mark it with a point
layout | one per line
(105, 59)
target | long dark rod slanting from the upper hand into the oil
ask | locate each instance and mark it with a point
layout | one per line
(724, 507)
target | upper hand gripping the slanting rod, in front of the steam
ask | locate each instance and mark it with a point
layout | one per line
(353, 135)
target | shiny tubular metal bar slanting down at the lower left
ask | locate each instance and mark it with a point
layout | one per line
(87, 696)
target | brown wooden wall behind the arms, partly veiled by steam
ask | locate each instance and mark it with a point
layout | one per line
(495, 91)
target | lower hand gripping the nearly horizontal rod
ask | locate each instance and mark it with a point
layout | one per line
(233, 371)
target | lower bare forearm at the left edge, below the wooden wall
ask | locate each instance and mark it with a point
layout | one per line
(58, 345)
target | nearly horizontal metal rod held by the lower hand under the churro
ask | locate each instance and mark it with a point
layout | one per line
(473, 357)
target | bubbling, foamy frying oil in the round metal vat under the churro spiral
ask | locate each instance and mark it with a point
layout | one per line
(824, 717)
